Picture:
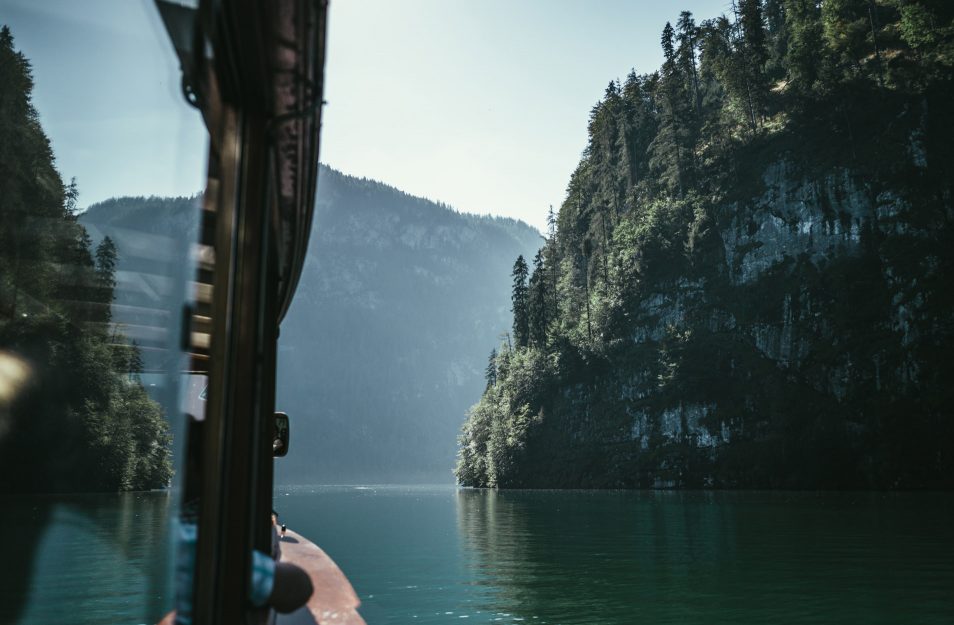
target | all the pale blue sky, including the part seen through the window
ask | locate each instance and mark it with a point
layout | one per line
(482, 105)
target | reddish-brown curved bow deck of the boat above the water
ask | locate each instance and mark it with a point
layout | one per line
(334, 601)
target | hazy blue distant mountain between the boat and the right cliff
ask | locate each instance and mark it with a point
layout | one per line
(385, 344)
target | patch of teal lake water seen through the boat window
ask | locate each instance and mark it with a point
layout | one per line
(85, 559)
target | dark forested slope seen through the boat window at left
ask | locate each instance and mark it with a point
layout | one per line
(74, 415)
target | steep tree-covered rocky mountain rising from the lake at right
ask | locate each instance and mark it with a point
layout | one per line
(748, 284)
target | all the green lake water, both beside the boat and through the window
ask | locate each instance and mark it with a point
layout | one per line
(443, 555)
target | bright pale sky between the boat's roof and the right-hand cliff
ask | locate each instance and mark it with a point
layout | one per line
(482, 105)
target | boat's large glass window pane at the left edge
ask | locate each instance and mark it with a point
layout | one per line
(101, 165)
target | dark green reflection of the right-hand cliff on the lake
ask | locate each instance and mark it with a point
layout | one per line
(711, 557)
